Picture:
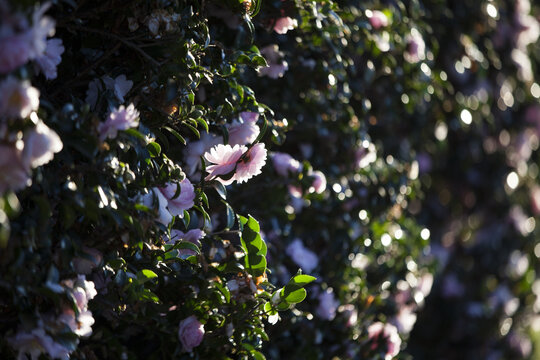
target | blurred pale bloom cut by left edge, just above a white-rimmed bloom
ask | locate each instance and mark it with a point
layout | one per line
(18, 98)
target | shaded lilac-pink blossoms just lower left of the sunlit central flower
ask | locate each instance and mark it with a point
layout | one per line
(170, 205)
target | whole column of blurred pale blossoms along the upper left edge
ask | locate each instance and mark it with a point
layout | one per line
(22, 41)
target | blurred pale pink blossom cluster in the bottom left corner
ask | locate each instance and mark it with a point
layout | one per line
(39, 340)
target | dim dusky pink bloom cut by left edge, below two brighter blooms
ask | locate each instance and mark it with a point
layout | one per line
(13, 174)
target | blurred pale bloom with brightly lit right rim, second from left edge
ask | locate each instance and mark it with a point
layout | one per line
(40, 145)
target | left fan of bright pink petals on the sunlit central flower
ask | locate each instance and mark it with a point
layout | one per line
(224, 159)
